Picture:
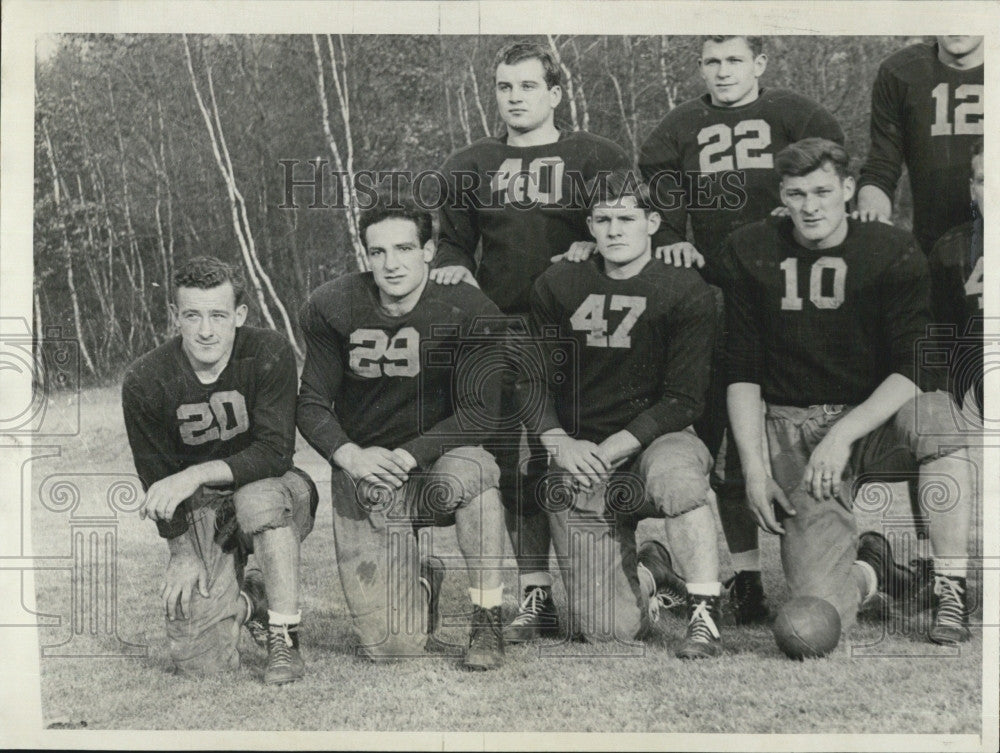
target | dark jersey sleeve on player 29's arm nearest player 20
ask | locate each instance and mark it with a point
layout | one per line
(321, 378)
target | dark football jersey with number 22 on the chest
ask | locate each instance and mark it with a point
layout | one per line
(724, 157)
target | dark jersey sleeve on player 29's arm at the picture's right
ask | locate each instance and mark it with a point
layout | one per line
(473, 398)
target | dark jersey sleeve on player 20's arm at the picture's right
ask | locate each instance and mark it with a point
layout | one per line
(272, 421)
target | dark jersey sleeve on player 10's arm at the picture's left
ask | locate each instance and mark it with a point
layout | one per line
(744, 347)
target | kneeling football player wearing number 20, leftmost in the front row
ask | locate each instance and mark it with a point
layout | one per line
(211, 422)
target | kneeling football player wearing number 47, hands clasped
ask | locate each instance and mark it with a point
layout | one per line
(621, 443)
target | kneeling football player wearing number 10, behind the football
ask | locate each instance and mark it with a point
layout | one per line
(823, 316)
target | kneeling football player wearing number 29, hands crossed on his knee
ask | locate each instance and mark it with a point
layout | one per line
(376, 402)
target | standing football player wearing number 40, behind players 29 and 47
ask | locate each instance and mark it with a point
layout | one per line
(517, 196)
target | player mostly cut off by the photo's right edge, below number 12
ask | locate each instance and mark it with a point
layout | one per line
(956, 265)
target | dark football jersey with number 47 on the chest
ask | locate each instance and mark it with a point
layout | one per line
(643, 347)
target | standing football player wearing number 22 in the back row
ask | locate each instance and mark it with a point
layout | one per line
(711, 160)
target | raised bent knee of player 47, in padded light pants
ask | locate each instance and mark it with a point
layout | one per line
(674, 469)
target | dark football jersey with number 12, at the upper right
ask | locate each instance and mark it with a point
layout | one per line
(927, 115)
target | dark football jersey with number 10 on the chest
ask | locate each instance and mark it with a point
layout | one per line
(824, 326)
